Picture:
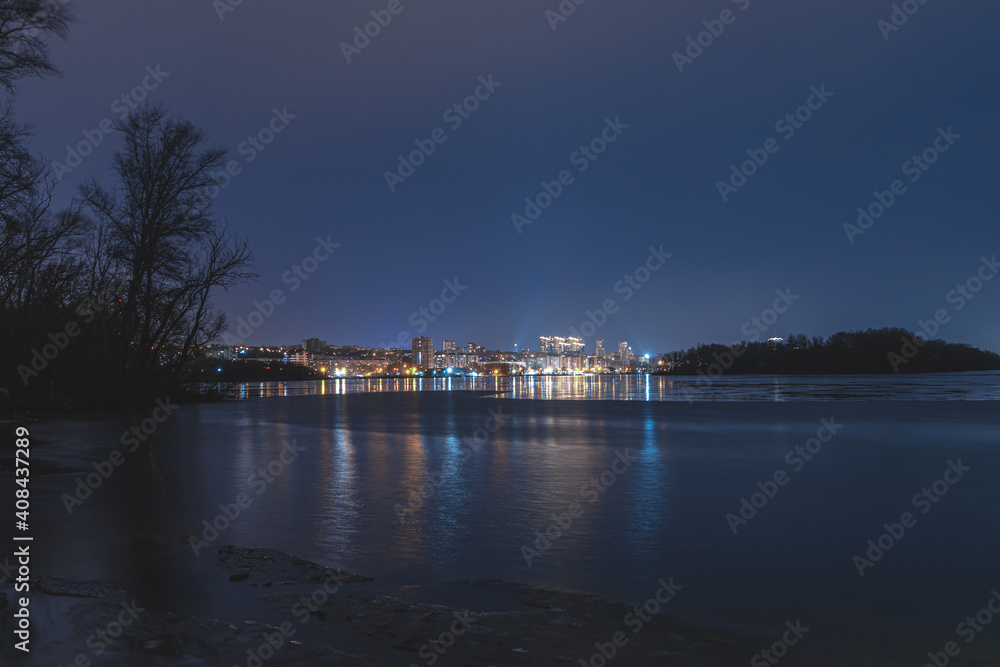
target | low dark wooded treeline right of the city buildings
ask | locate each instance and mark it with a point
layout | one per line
(888, 350)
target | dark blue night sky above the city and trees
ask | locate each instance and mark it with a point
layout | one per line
(324, 174)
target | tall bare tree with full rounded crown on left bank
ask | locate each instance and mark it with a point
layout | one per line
(165, 248)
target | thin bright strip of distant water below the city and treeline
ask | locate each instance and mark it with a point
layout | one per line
(942, 386)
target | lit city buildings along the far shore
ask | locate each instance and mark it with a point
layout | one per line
(555, 355)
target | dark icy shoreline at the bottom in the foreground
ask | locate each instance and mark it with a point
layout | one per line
(311, 615)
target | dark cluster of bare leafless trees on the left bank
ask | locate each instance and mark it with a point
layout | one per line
(105, 301)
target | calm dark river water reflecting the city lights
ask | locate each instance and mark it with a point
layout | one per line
(366, 452)
